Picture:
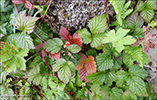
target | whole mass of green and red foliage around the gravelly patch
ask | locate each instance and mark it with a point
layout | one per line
(95, 63)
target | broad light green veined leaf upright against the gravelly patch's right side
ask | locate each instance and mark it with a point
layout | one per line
(98, 24)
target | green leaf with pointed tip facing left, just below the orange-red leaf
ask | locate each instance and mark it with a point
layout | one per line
(98, 77)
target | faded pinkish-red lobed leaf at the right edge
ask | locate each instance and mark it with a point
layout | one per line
(146, 43)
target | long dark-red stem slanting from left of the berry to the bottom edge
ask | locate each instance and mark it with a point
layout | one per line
(54, 74)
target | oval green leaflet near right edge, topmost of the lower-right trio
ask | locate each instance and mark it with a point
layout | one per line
(137, 71)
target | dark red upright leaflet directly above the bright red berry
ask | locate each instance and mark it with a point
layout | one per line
(64, 34)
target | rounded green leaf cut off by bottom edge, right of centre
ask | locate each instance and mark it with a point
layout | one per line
(116, 93)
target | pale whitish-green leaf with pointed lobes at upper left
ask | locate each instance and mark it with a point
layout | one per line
(25, 24)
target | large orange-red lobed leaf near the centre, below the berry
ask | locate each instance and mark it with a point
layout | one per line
(86, 66)
